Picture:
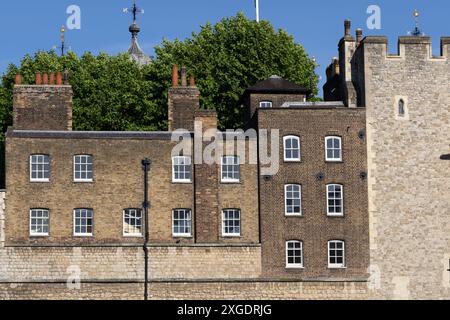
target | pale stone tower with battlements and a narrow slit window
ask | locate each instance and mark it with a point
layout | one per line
(409, 183)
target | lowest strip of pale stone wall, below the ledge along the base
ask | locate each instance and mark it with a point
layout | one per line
(189, 291)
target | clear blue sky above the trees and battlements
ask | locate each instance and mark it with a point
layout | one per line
(28, 25)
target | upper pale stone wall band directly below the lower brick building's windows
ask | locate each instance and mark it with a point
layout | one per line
(116, 264)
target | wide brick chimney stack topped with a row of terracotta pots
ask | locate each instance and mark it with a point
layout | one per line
(43, 105)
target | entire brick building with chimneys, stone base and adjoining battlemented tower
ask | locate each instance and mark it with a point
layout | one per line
(339, 218)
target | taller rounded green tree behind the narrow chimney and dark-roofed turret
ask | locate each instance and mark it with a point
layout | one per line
(229, 57)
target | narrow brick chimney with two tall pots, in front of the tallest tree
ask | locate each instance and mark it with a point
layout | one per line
(184, 102)
